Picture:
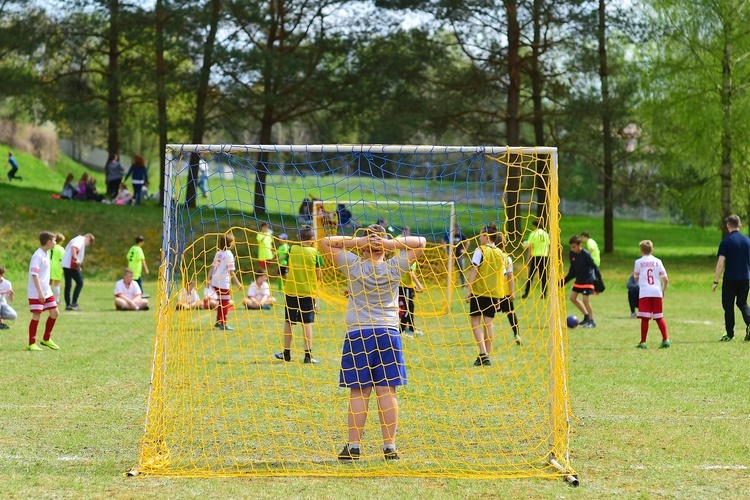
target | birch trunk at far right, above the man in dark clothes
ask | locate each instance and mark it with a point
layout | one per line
(727, 162)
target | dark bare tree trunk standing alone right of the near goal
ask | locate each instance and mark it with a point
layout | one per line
(609, 242)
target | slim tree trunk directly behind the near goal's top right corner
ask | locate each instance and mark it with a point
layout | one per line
(541, 178)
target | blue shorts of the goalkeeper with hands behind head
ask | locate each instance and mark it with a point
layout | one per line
(372, 356)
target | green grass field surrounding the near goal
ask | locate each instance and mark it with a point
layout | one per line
(649, 423)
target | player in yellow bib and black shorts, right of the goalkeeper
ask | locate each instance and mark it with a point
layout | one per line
(486, 286)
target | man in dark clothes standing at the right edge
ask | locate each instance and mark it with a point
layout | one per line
(734, 262)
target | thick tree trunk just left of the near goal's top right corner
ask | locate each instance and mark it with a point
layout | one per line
(512, 122)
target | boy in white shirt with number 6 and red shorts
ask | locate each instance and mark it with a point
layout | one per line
(652, 281)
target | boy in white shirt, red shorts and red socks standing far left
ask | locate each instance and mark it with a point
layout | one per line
(40, 294)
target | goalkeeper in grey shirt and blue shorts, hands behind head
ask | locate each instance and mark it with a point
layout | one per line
(372, 353)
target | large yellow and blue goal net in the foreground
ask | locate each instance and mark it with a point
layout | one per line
(221, 402)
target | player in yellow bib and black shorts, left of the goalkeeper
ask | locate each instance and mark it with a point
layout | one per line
(300, 289)
